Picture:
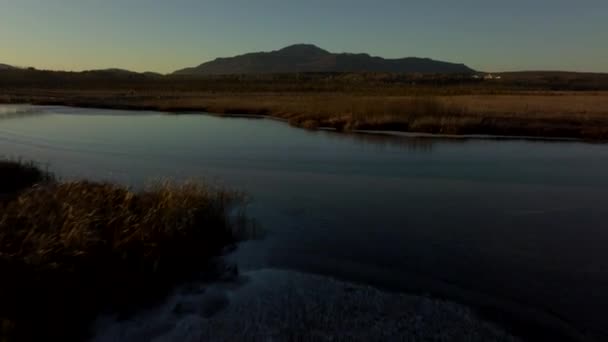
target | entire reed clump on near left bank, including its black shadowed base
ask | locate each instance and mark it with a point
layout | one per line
(71, 250)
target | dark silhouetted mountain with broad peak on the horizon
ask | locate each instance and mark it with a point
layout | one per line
(310, 58)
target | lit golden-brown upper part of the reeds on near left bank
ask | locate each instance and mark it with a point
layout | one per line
(60, 225)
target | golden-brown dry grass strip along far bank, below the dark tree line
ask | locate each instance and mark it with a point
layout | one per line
(524, 113)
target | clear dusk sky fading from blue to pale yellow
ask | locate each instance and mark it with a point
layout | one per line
(165, 35)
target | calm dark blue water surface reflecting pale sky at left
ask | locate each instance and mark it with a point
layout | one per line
(515, 227)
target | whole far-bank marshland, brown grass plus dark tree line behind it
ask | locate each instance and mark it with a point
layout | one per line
(562, 105)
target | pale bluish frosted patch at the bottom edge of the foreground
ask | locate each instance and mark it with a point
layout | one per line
(278, 305)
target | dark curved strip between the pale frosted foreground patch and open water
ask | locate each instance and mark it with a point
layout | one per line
(529, 322)
